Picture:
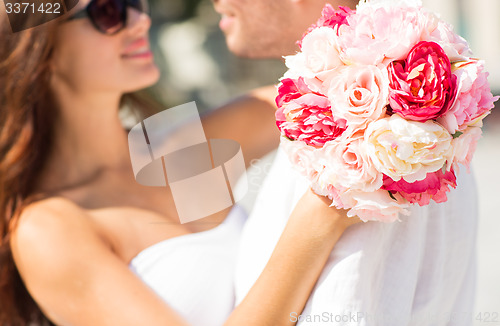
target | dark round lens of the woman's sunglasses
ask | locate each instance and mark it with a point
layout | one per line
(108, 15)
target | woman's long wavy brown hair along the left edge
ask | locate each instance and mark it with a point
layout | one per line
(27, 113)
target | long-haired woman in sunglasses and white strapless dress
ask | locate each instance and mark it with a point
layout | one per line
(80, 238)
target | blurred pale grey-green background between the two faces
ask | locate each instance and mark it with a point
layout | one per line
(195, 62)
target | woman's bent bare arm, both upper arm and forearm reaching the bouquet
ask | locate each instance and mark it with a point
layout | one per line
(74, 276)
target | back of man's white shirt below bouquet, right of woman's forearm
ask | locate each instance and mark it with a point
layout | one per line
(419, 271)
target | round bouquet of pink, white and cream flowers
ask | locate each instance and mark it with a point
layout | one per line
(381, 106)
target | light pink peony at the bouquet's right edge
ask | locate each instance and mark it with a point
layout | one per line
(474, 100)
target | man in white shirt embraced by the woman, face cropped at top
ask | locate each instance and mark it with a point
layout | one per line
(419, 271)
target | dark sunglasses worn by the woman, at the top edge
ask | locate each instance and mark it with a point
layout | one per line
(110, 16)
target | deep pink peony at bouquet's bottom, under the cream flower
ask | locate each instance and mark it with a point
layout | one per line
(434, 186)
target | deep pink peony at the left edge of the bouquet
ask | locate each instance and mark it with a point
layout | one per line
(304, 115)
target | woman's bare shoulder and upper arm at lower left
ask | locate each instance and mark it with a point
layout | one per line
(74, 275)
